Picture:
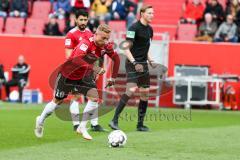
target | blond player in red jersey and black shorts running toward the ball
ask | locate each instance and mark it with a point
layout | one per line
(76, 76)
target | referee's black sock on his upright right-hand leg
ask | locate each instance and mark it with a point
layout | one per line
(142, 109)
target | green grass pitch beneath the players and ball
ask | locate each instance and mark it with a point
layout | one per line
(176, 134)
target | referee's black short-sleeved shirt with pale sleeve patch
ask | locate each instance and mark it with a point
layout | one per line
(140, 36)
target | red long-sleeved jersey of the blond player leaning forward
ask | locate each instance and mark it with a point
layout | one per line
(82, 59)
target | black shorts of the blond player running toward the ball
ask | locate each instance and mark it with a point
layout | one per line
(65, 86)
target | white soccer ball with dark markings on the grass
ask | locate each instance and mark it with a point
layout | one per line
(117, 138)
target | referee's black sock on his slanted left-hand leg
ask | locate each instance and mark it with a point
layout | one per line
(122, 103)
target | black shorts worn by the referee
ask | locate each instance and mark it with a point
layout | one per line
(142, 79)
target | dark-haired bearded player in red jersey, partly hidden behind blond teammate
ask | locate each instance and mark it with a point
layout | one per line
(73, 38)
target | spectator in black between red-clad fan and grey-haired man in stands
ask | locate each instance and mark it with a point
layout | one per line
(216, 9)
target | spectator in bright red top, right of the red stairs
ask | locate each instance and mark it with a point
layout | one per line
(193, 12)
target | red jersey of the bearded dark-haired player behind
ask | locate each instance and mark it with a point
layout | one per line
(75, 36)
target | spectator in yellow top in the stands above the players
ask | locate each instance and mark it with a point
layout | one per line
(100, 7)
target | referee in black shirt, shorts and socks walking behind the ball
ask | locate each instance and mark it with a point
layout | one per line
(139, 35)
